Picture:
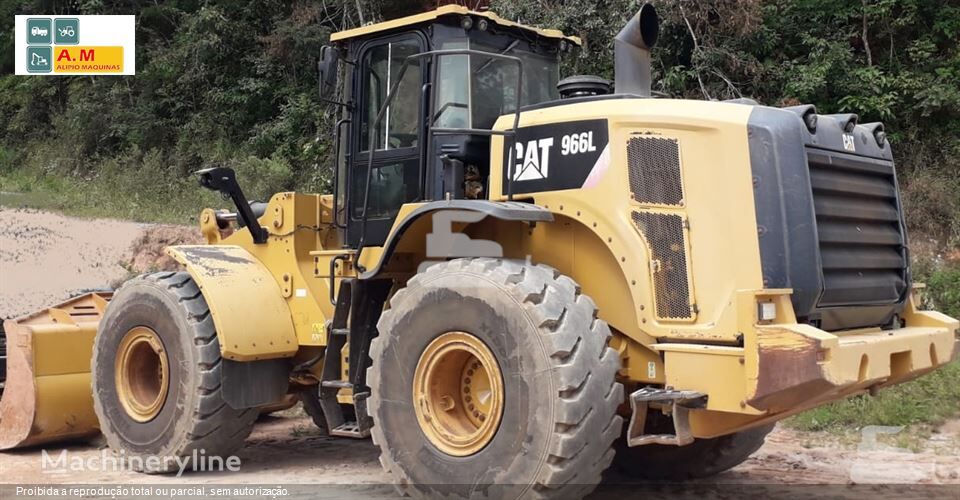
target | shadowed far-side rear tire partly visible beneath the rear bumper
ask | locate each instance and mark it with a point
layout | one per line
(702, 458)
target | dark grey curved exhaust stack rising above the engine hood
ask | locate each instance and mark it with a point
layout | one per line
(631, 52)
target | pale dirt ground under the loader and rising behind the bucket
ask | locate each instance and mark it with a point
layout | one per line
(44, 257)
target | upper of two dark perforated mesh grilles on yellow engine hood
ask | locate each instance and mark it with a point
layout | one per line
(654, 165)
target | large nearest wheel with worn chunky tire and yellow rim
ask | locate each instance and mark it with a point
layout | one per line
(547, 373)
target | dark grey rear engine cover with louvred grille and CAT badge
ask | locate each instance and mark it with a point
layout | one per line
(829, 219)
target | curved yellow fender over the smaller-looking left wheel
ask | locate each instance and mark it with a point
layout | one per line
(253, 320)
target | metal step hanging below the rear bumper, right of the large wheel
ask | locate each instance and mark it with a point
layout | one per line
(679, 403)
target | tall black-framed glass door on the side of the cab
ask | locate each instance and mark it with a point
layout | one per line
(395, 143)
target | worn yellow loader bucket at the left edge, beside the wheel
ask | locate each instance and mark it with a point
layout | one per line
(46, 395)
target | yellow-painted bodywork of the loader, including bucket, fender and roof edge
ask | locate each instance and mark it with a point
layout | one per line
(275, 299)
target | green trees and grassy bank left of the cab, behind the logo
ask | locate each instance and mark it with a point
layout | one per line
(230, 83)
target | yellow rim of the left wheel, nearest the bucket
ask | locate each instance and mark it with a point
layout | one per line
(142, 375)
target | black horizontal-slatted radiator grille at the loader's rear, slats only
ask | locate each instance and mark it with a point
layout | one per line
(862, 245)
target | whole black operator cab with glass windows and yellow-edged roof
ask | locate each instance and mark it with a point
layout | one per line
(432, 140)
